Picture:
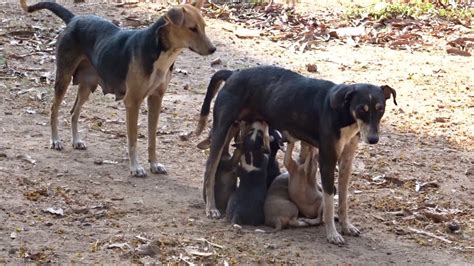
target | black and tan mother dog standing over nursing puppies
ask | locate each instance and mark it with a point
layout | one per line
(332, 117)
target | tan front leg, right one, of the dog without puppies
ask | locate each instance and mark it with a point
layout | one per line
(154, 107)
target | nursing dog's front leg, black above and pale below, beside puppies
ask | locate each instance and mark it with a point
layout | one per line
(327, 165)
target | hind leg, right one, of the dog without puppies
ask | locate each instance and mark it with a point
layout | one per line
(82, 95)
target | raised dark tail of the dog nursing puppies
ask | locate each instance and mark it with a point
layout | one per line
(216, 81)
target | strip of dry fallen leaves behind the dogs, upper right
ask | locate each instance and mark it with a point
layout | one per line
(308, 31)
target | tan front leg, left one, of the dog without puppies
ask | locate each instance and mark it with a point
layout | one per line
(132, 106)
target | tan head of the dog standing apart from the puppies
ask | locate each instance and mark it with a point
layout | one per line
(186, 29)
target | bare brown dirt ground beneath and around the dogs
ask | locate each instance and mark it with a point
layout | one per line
(418, 178)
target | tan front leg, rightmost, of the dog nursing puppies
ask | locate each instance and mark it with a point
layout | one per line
(345, 170)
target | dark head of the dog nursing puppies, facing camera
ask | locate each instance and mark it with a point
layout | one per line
(366, 104)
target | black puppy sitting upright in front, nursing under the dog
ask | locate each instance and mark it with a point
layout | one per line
(246, 203)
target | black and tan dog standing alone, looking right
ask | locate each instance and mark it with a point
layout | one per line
(132, 64)
